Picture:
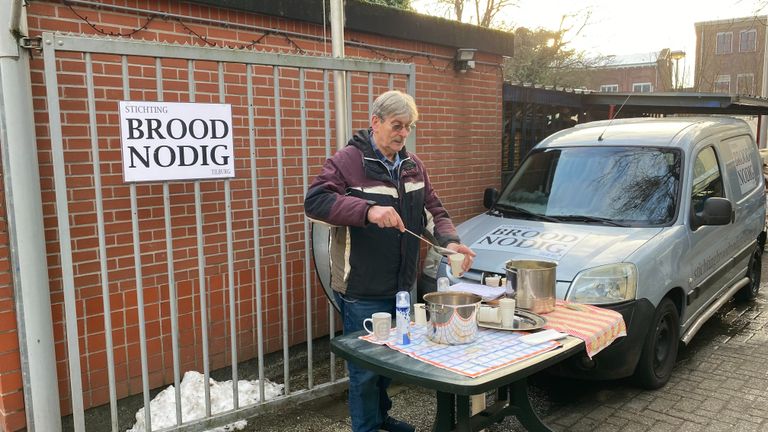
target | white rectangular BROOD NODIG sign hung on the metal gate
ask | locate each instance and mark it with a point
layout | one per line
(176, 141)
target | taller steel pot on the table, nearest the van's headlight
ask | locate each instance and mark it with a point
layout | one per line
(532, 284)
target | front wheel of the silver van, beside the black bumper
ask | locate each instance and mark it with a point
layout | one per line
(660, 347)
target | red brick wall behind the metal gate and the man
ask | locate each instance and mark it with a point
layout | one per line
(458, 137)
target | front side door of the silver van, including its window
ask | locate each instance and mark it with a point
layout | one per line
(709, 257)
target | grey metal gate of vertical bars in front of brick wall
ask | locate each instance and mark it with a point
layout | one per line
(177, 275)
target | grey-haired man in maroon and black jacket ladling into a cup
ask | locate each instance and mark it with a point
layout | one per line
(371, 191)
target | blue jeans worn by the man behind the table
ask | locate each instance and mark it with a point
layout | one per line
(368, 399)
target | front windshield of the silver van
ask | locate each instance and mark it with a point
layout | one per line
(629, 186)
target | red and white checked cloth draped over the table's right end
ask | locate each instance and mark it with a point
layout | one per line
(597, 327)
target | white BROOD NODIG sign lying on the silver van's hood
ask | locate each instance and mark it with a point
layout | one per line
(526, 240)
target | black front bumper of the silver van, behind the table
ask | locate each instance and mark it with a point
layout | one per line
(620, 358)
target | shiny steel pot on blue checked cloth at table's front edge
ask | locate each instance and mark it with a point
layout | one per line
(452, 317)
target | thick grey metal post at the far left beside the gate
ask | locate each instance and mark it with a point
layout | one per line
(24, 208)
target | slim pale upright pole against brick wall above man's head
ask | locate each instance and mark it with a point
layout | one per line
(339, 77)
